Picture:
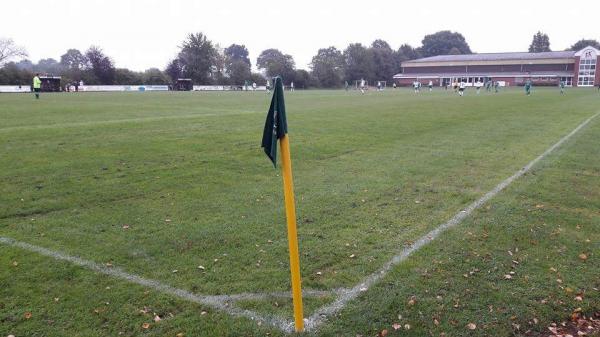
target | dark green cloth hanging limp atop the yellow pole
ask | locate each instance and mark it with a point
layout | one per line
(276, 123)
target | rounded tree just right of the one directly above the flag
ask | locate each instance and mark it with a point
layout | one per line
(328, 67)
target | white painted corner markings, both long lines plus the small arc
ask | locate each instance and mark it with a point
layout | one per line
(222, 302)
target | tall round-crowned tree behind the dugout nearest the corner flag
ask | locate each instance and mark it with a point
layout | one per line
(197, 58)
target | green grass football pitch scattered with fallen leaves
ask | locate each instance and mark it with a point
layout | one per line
(158, 184)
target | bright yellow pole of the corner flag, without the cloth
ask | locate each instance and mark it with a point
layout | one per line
(290, 212)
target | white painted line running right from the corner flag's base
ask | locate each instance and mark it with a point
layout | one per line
(321, 314)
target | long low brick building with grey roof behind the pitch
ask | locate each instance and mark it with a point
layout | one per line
(548, 68)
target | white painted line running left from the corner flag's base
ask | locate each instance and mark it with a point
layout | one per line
(218, 302)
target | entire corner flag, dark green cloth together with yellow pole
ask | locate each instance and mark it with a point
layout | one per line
(276, 129)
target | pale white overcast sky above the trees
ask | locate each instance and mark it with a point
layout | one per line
(139, 34)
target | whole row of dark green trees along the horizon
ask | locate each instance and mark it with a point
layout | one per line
(205, 62)
